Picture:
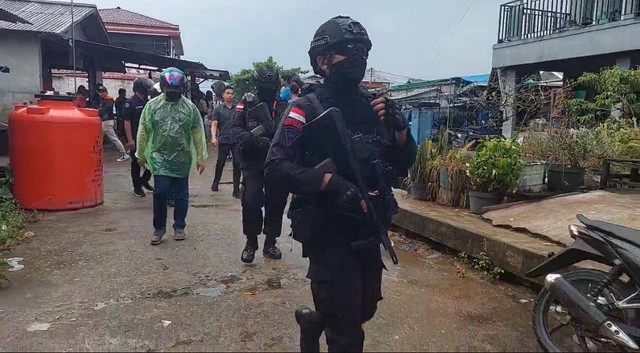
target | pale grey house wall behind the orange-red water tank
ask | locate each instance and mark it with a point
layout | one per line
(21, 53)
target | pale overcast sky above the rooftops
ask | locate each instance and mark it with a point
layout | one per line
(417, 38)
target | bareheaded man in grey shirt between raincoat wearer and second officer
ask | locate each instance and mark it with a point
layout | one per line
(221, 138)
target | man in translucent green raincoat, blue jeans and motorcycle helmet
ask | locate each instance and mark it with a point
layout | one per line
(171, 140)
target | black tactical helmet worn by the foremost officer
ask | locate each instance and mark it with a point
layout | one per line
(336, 31)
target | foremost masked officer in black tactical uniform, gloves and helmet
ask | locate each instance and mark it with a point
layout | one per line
(345, 280)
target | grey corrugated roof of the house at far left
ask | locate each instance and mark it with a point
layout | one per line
(44, 16)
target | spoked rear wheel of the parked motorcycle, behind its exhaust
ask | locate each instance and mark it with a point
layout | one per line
(556, 331)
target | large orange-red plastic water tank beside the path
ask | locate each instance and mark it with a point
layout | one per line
(56, 155)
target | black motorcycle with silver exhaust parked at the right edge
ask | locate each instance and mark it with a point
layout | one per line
(587, 309)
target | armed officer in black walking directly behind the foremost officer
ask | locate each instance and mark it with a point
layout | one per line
(254, 125)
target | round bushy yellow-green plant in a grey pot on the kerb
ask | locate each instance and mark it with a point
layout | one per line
(494, 169)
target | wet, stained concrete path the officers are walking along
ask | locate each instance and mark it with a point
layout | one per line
(93, 283)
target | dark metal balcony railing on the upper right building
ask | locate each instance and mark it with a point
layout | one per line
(522, 19)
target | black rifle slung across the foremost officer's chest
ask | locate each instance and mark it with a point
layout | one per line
(333, 117)
